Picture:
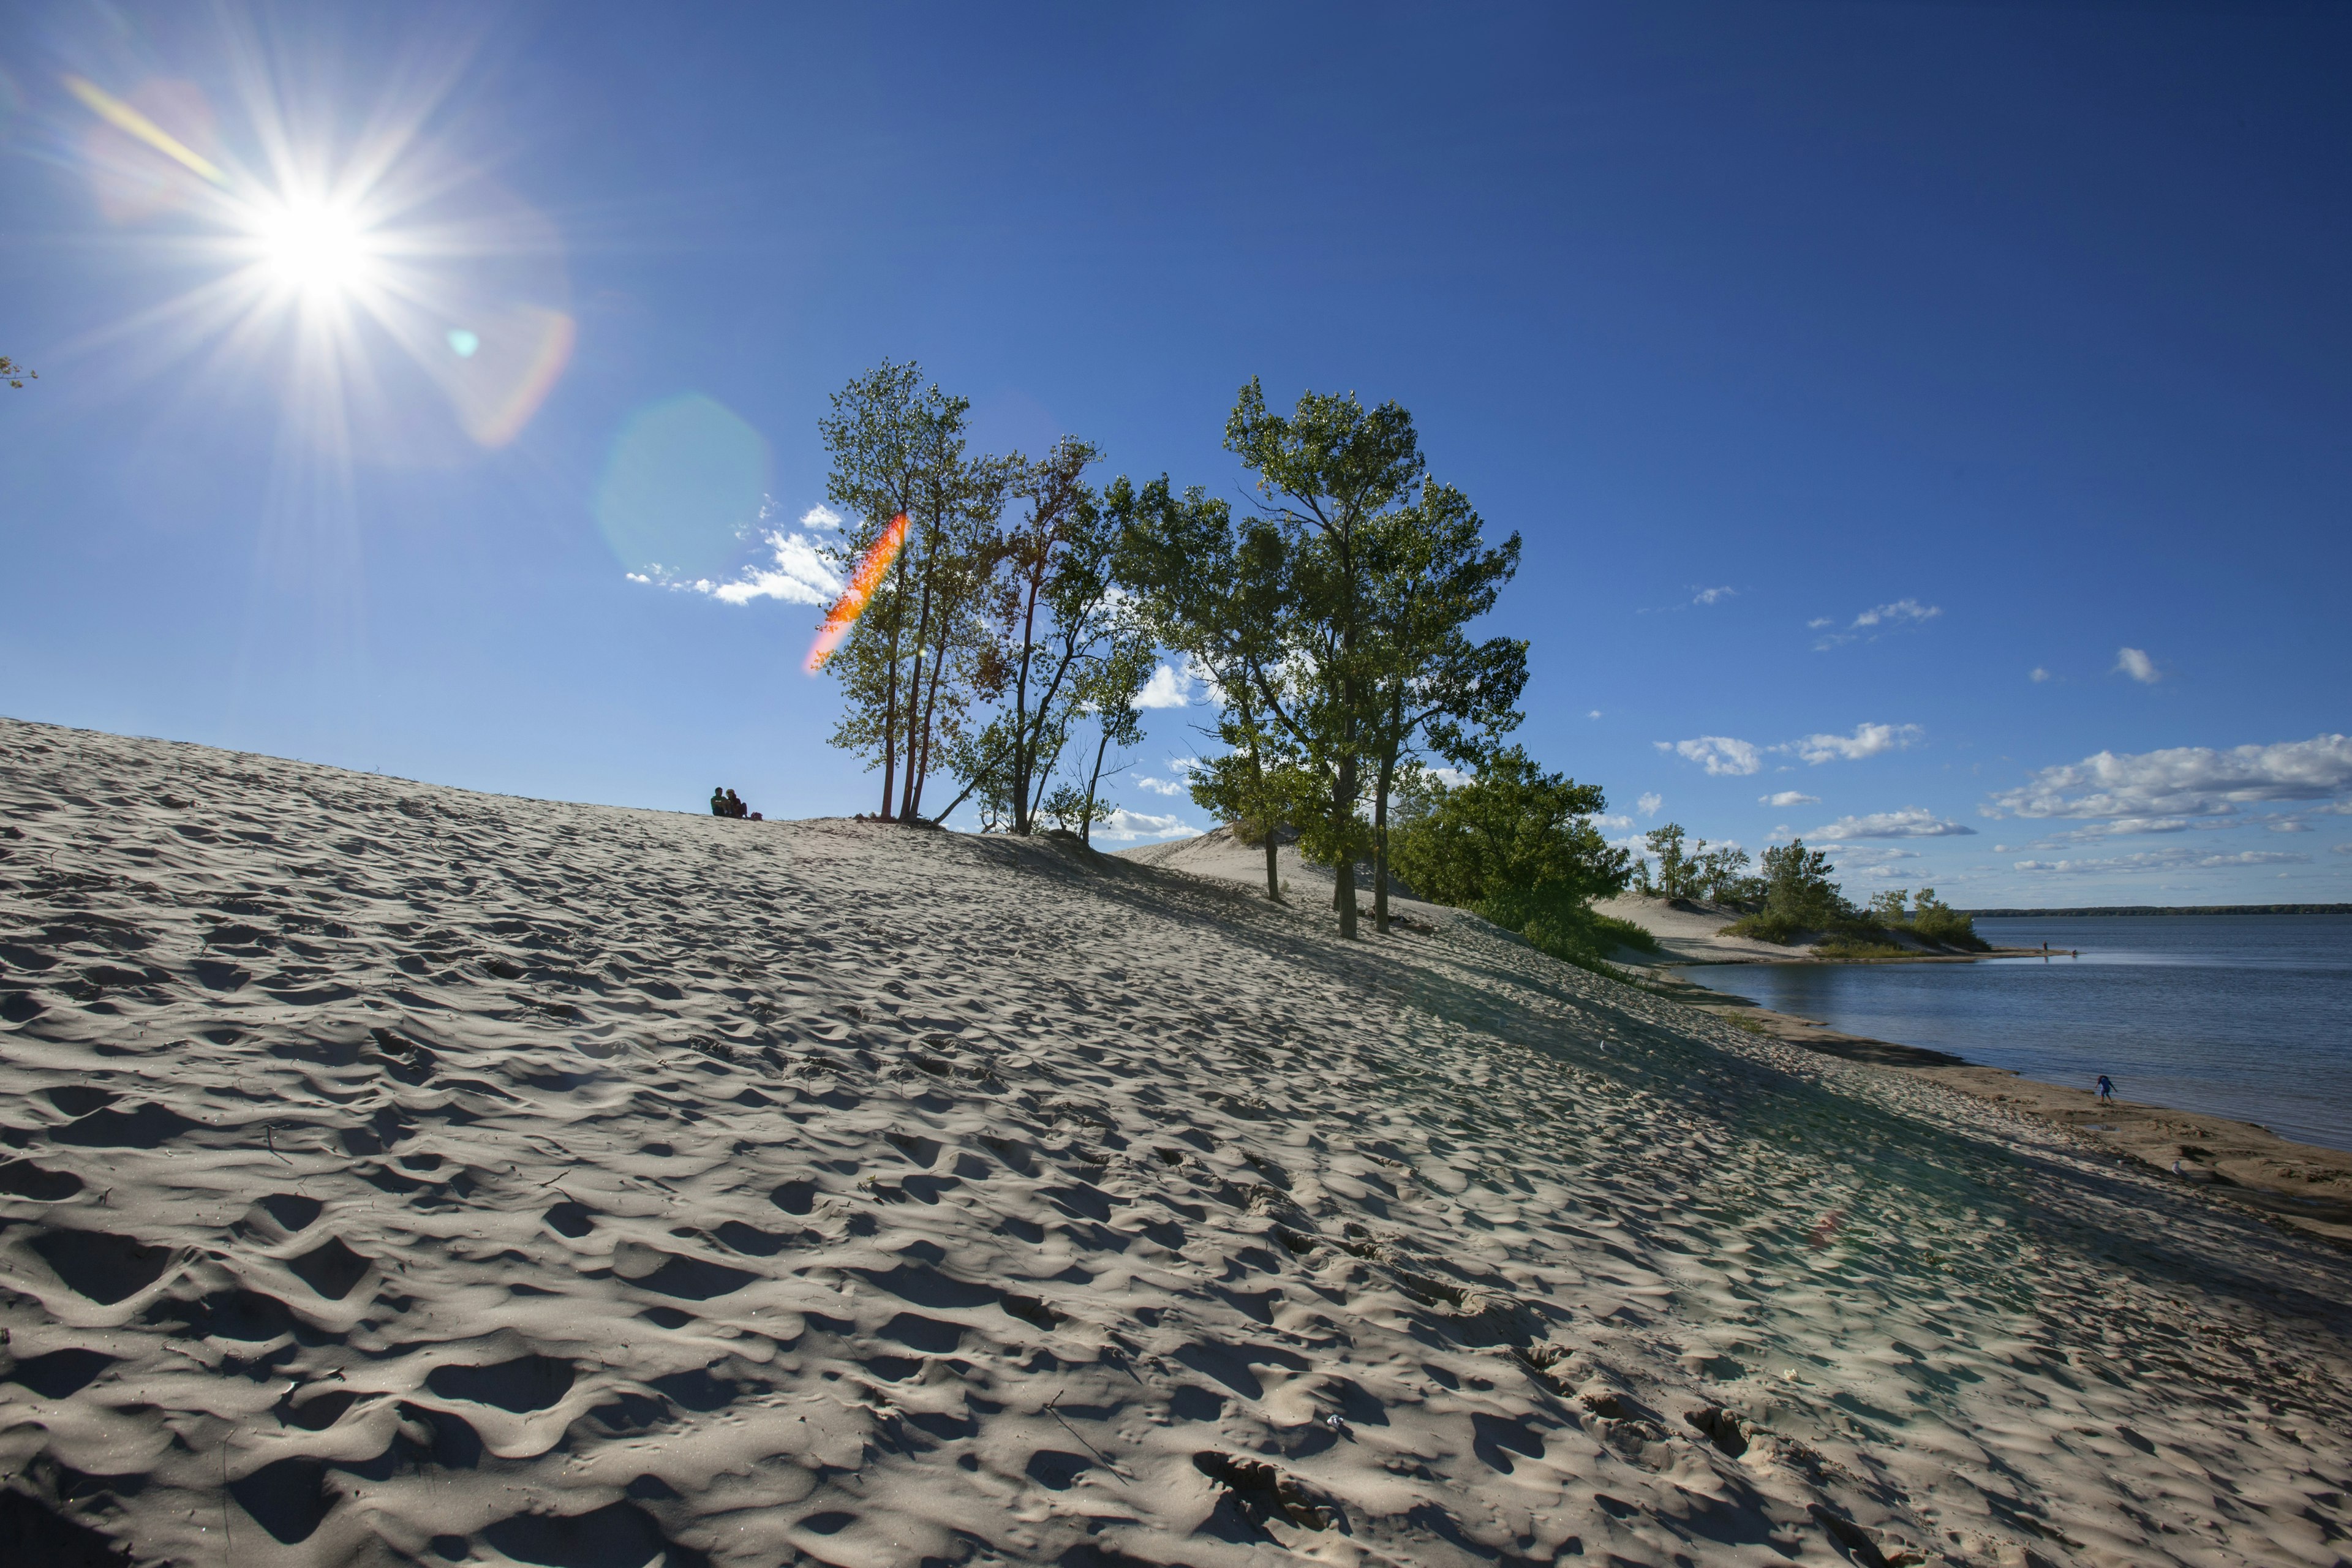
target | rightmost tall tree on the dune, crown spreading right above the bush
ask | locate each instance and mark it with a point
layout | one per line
(1434, 575)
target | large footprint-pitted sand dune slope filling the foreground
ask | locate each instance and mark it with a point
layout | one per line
(420, 1177)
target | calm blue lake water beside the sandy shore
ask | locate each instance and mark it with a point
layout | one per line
(2243, 1017)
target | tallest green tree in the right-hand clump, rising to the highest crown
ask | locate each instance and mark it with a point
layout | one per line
(1328, 478)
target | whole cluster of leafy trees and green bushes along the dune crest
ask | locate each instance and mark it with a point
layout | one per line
(1328, 619)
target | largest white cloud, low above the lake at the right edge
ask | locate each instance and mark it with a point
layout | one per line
(2186, 782)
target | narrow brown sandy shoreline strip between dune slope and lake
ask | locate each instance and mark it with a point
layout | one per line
(2301, 1186)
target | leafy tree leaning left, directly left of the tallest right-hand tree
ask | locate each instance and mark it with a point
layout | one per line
(1215, 594)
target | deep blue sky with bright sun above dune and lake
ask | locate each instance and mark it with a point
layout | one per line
(1925, 417)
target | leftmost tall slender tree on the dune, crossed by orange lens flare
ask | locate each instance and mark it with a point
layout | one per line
(916, 659)
